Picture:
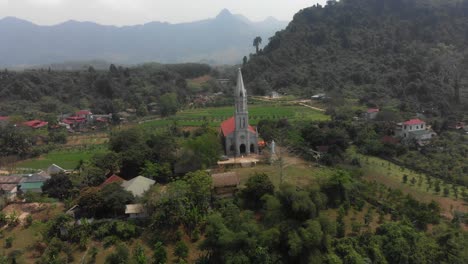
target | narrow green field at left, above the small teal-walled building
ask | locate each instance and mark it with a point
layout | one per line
(65, 158)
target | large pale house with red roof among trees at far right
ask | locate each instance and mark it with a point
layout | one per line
(414, 130)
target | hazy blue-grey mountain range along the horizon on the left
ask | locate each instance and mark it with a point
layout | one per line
(221, 40)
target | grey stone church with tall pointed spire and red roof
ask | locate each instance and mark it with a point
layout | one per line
(239, 138)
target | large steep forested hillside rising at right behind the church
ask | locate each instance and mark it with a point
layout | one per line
(413, 50)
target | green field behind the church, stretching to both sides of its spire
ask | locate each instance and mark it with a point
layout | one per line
(215, 115)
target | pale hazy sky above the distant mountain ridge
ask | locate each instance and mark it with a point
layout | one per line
(129, 12)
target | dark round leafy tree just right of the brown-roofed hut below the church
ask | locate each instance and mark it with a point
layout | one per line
(256, 187)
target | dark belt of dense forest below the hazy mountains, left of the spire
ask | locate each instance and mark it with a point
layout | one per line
(47, 91)
